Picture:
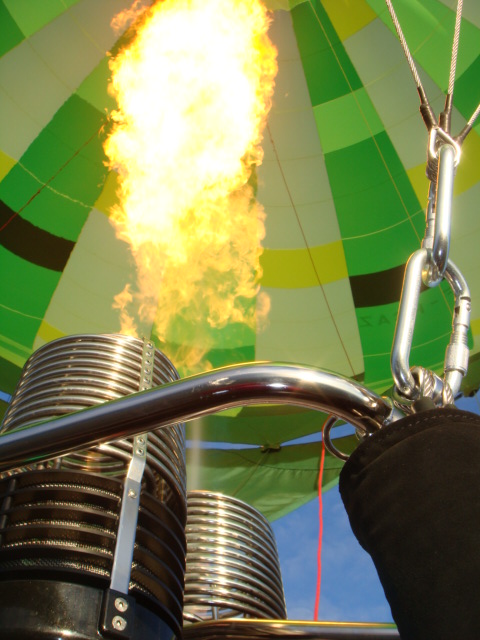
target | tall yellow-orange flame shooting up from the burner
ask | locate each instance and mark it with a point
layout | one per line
(193, 92)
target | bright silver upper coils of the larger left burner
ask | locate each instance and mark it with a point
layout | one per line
(80, 371)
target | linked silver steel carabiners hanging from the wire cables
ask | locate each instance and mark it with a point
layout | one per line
(430, 265)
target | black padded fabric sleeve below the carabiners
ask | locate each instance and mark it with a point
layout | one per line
(412, 494)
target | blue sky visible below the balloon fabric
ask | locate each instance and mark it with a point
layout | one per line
(351, 590)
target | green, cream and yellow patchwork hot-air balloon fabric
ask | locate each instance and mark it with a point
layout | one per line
(342, 183)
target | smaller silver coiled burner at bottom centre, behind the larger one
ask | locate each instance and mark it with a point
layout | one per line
(232, 561)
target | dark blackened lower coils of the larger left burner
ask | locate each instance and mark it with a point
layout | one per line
(61, 526)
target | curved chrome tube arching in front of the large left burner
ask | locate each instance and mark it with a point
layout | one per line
(183, 400)
